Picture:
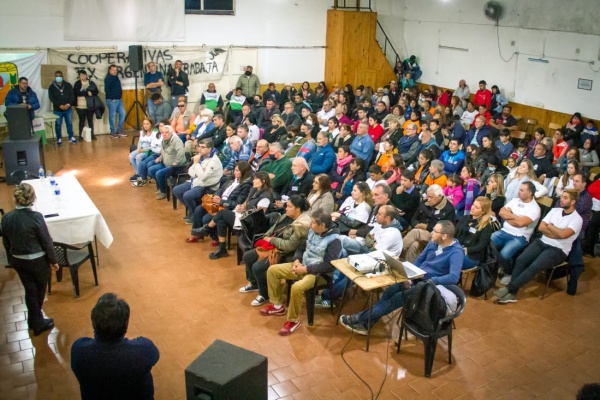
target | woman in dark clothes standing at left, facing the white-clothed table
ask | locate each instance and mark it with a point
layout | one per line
(30, 252)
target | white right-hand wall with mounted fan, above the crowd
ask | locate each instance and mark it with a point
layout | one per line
(429, 24)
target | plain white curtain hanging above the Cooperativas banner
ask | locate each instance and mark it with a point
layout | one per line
(125, 20)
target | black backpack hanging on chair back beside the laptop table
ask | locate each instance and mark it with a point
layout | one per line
(423, 306)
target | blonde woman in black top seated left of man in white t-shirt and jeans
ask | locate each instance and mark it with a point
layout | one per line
(474, 232)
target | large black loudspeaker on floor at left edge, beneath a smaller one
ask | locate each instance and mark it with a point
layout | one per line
(25, 155)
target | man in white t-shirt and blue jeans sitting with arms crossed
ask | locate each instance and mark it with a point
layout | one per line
(520, 218)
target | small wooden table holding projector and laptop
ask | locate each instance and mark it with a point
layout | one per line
(365, 283)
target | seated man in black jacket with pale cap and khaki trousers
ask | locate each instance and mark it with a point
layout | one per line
(434, 208)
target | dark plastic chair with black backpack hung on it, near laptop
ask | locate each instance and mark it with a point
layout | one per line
(444, 328)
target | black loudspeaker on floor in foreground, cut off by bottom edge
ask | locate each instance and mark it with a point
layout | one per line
(224, 371)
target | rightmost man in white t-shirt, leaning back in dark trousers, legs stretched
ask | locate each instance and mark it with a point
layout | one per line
(559, 228)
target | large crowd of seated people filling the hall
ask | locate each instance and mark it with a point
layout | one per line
(347, 171)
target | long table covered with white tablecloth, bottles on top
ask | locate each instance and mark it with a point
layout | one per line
(78, 219)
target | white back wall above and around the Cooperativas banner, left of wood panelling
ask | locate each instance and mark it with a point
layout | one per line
(257, 23)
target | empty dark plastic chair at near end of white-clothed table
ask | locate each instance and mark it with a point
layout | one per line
(73, 257)
